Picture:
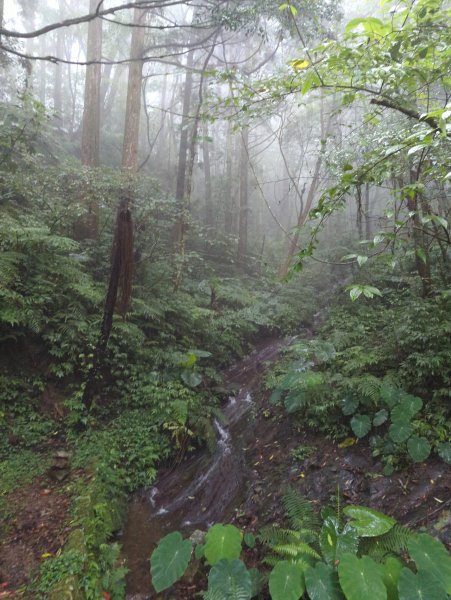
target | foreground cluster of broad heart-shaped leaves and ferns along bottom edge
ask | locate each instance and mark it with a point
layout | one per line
(333, 560)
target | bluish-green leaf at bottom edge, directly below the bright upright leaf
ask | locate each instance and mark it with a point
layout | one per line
(231, 579)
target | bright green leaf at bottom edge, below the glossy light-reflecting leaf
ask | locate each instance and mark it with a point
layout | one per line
(360, 578)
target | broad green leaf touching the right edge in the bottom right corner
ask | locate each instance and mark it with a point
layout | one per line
(431, 556)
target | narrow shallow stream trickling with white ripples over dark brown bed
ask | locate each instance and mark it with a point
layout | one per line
(203, 489)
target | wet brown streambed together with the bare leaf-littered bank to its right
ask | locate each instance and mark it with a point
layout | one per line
(243, 481)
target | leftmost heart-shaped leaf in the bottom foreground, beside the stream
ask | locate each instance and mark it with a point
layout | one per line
(169, 560)
